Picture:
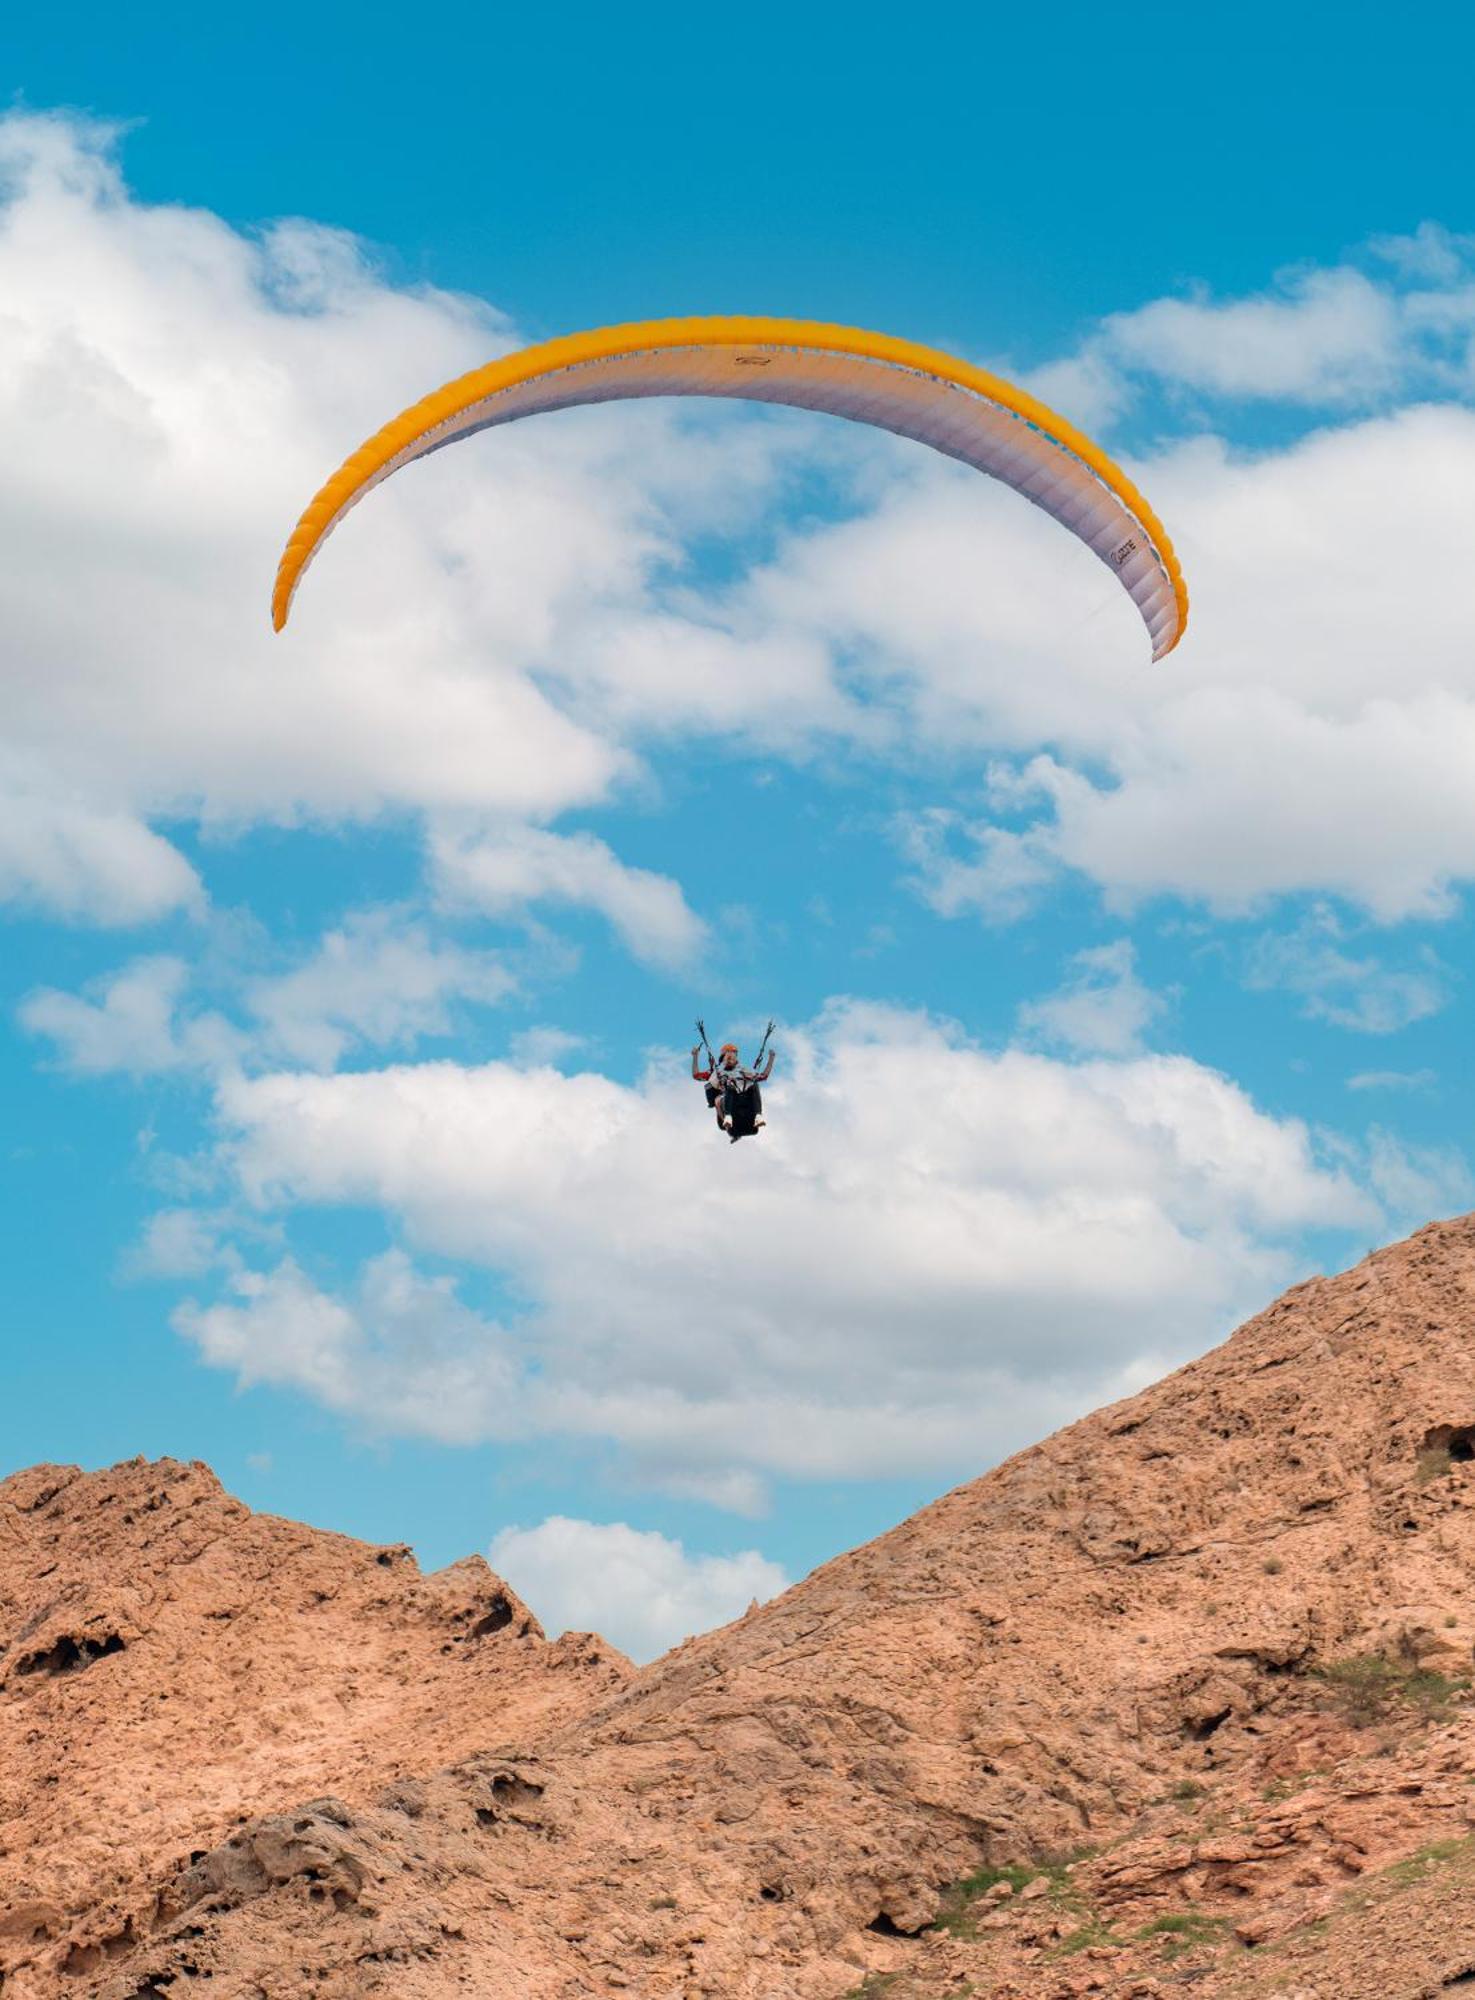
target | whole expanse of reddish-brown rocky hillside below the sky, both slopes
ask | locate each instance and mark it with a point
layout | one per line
(1180, 1697)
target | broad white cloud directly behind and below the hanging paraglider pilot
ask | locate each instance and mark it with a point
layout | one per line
(928, 1259)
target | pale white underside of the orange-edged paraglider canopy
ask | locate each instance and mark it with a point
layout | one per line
(944, 415)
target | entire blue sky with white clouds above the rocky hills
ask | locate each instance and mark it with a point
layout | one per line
(349, 977)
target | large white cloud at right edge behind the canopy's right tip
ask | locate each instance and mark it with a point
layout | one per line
(1314, 735)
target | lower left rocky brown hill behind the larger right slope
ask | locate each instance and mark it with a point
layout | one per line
(173, 1665)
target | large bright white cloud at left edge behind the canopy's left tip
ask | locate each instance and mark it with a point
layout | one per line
(171, 395)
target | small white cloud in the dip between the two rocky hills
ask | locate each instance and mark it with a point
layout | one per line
(637, 1587)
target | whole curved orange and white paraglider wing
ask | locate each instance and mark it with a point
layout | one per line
(872, 379)
